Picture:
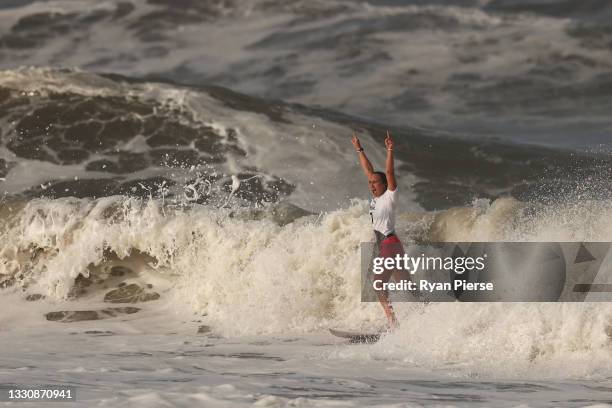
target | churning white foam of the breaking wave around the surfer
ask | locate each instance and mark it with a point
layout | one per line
(255, 277)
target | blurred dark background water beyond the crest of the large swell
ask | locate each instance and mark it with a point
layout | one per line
(526, 71)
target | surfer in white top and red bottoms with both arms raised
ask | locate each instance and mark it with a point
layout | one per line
(382, 212)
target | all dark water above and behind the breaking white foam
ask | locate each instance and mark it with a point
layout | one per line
(462, 87)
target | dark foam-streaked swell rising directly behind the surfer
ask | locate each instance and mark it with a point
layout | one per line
(73, 133)
